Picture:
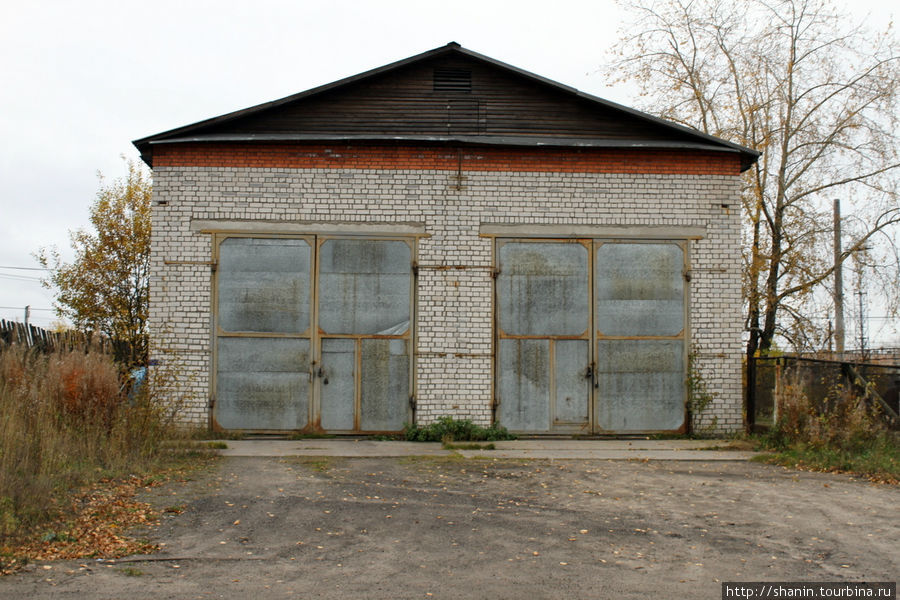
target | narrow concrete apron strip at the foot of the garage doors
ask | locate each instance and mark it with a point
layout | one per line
(632, 449)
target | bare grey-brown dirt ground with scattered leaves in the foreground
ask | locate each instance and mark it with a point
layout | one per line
(426, 527)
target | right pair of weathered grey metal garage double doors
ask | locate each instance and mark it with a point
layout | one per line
(590, 336)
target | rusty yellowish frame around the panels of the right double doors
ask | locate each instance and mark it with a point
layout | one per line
(591, 335)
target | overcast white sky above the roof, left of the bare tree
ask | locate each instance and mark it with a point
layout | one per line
(80, 79)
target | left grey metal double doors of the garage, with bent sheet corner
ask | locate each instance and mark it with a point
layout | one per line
(313, 334)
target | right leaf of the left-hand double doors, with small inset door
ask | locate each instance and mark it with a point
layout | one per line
(365, 299)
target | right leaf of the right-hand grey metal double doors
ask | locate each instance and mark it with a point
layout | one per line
(639, 317)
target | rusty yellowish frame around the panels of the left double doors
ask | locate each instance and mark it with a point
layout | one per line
(313, 333)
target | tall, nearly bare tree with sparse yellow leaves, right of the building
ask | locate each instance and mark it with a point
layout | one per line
(818, 96)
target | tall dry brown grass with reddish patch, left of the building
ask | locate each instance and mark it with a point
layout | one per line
(66, 420)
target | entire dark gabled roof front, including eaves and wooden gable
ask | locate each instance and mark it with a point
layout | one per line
(444, 96)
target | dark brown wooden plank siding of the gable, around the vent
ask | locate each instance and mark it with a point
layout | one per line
(404, 102)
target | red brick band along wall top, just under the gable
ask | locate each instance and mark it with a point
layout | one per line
(342, 156)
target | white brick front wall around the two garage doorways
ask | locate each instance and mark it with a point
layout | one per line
(454, 312)
